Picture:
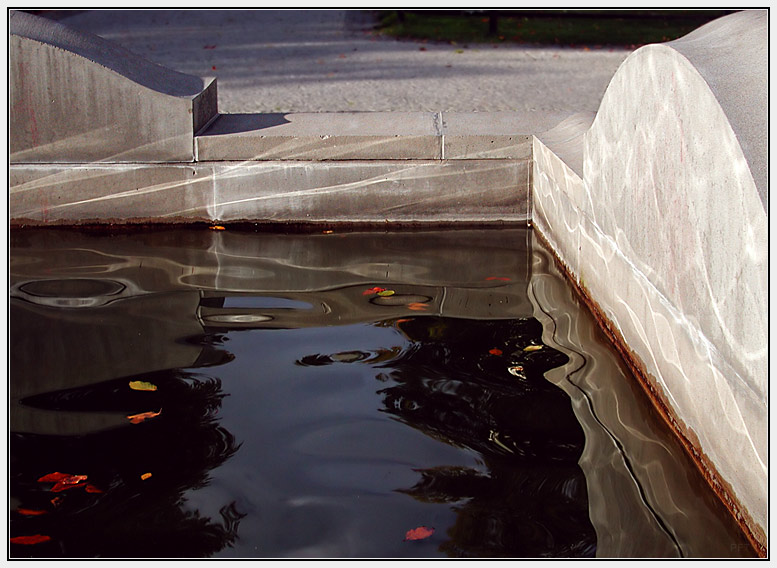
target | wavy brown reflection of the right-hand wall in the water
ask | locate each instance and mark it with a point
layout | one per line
(646, 497)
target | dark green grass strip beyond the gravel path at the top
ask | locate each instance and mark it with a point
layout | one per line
(561, 27)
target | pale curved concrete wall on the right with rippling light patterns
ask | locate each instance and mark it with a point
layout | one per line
(669, 209)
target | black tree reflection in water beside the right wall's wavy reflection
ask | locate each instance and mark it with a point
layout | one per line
(480, 386)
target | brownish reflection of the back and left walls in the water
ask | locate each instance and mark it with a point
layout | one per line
(92, 306)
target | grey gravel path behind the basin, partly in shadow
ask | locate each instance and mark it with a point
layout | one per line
(328, 60)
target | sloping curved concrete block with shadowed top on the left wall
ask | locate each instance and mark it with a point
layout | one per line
(75, 97)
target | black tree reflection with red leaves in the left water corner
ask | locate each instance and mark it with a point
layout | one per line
(128, 513)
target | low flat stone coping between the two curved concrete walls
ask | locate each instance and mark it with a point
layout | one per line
(372, 136)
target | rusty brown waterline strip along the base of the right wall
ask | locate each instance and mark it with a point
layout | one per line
(685, 435)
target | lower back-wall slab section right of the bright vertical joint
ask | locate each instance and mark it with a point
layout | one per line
(373, 191)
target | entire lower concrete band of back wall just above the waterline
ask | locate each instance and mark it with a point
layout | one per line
(372, 191)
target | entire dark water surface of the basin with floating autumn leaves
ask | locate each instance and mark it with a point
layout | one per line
(320, 395)
